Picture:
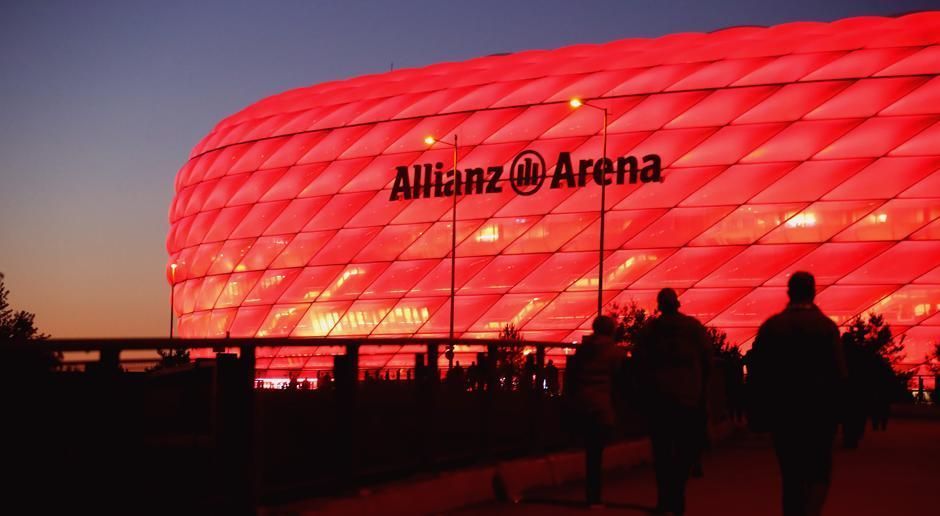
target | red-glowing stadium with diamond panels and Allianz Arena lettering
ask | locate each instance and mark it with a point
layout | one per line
(736, 158)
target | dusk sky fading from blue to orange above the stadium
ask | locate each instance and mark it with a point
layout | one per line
(101, 103)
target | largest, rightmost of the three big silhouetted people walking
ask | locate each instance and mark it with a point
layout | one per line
(797, 370)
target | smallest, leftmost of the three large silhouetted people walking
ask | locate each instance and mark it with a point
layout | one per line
(589, 387)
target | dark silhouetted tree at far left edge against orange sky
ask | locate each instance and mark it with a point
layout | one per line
(17, 327)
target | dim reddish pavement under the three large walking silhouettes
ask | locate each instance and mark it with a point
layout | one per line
(891, 473)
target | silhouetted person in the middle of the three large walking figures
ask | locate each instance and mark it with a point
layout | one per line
(673, 361)
